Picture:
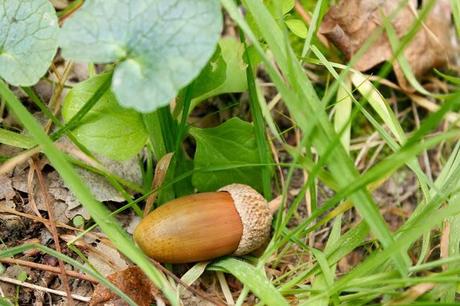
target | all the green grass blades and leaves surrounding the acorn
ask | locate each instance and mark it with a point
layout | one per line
(159, 51)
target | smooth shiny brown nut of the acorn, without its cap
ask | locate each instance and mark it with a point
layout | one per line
(192, 228)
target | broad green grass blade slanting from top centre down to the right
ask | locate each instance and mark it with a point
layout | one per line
(302, 105)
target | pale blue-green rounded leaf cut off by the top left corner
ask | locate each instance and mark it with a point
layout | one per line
(28, 40)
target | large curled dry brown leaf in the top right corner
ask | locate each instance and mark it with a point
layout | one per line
(351, 23)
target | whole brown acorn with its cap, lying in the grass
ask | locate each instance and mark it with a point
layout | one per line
(235, 220)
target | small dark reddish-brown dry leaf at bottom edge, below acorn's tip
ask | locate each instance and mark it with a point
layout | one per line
(131, 281)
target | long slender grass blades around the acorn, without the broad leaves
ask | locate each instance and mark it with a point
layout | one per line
(395, 263)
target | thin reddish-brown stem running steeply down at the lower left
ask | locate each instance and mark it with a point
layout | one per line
(50, 208)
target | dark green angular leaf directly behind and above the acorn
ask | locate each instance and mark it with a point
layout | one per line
(226, 150)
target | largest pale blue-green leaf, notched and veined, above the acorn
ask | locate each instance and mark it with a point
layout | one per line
(160, 46)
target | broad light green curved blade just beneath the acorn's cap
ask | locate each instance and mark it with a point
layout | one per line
(253, 279)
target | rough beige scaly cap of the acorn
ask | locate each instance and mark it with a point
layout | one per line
(255, 216)
